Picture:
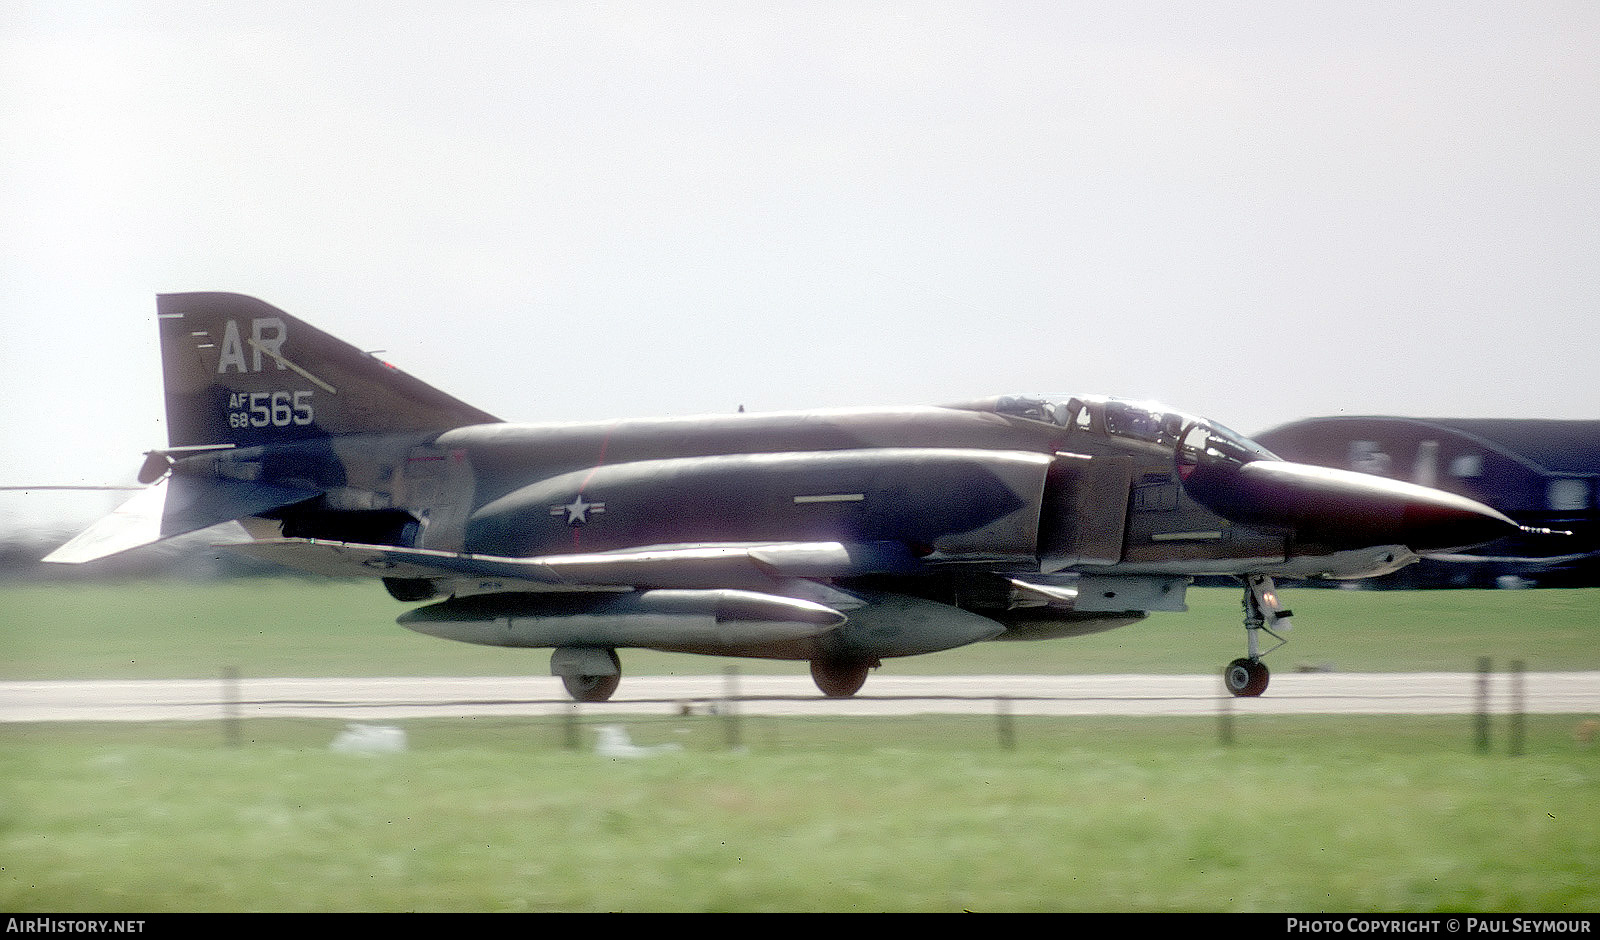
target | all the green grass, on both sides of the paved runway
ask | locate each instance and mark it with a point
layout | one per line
(918, 815)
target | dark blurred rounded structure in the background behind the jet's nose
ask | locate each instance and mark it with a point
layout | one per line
(1540, 472)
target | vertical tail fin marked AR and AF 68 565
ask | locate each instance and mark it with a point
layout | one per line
(244, 373)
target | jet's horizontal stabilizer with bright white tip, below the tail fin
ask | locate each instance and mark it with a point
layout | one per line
(175, 506)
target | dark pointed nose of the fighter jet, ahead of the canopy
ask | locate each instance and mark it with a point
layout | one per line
(1346, 511)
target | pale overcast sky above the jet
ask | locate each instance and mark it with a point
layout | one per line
(558, 212)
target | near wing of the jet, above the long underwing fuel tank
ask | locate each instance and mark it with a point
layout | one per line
(658, 567)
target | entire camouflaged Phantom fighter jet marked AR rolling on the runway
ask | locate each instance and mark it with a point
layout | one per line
(841, 538)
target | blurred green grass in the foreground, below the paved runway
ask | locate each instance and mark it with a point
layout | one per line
(1308, 815)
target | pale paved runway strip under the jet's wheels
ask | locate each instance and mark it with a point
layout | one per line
(884, 695)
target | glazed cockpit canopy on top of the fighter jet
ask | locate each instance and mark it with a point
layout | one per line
(1190, 437)
